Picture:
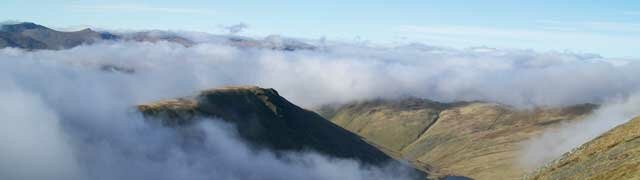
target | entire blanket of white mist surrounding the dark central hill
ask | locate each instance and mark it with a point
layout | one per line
(78, 103)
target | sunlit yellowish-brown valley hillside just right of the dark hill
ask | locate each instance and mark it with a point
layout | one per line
(474, 139)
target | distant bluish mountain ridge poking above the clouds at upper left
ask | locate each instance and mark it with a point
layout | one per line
(31, 36)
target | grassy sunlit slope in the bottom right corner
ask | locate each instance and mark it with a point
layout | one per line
(613, 155)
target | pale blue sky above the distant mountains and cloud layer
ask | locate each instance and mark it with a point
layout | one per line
(610, 28)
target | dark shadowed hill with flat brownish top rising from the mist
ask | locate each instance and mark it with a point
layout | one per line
(266, 119)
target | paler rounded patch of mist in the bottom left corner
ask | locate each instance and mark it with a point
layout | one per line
(34, 145)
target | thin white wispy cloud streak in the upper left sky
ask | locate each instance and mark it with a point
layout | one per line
(138, 8)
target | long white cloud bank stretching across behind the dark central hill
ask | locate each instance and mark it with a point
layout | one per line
(339, 73)
